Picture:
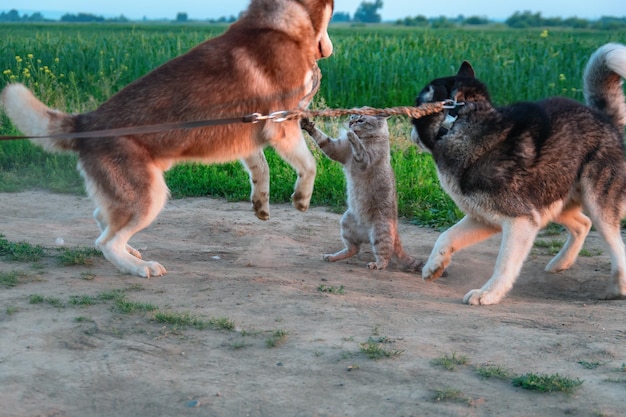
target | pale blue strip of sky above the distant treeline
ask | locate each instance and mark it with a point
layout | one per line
(391, 11)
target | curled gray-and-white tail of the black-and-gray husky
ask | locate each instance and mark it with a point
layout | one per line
(603, 82)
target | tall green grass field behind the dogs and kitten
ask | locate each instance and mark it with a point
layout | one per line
(76, 67)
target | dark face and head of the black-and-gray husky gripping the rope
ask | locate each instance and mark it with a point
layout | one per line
(461, 87)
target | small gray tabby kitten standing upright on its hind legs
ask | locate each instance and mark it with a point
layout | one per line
(372, 215)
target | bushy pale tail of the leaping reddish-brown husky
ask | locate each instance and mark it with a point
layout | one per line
(33, 118)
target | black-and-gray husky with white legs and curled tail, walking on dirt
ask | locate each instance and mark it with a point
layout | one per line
(514, 169)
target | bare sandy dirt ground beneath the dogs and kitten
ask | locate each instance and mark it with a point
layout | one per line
(267, 277)
